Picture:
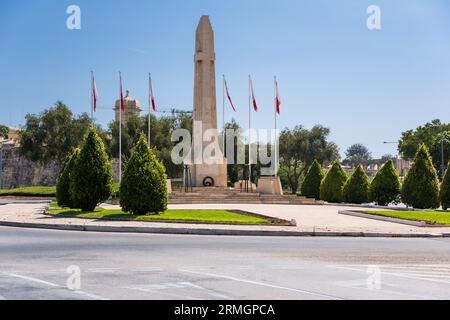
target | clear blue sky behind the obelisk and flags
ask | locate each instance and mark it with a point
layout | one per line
(367, 86)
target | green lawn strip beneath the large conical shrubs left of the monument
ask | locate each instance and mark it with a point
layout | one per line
(214, 216)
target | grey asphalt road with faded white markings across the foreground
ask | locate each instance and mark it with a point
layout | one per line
(45, 264)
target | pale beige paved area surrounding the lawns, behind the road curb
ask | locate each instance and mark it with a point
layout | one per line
(311, 220)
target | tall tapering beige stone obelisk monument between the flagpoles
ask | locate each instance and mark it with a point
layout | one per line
(209, 168)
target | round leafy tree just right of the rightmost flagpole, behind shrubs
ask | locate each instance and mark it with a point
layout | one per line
(298, 148)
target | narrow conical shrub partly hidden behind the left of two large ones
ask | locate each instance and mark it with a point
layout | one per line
(63, 184)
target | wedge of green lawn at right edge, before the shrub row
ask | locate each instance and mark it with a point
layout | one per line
(438, 217)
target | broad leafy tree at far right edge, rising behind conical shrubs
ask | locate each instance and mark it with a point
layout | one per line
(431, 135)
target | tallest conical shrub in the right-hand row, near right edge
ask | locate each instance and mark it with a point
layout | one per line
(421, 186)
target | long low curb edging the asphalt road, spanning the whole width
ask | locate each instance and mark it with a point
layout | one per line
(217, 232)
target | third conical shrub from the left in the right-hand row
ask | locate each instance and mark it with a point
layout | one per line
(356, 189)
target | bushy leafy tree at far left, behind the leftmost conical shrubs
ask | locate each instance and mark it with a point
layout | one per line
(49, 136)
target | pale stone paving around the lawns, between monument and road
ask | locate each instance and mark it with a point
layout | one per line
(309, 218)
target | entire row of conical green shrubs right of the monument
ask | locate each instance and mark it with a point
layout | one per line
(420, 188)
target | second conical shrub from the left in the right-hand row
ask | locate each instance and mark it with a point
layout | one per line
(332, 184)
